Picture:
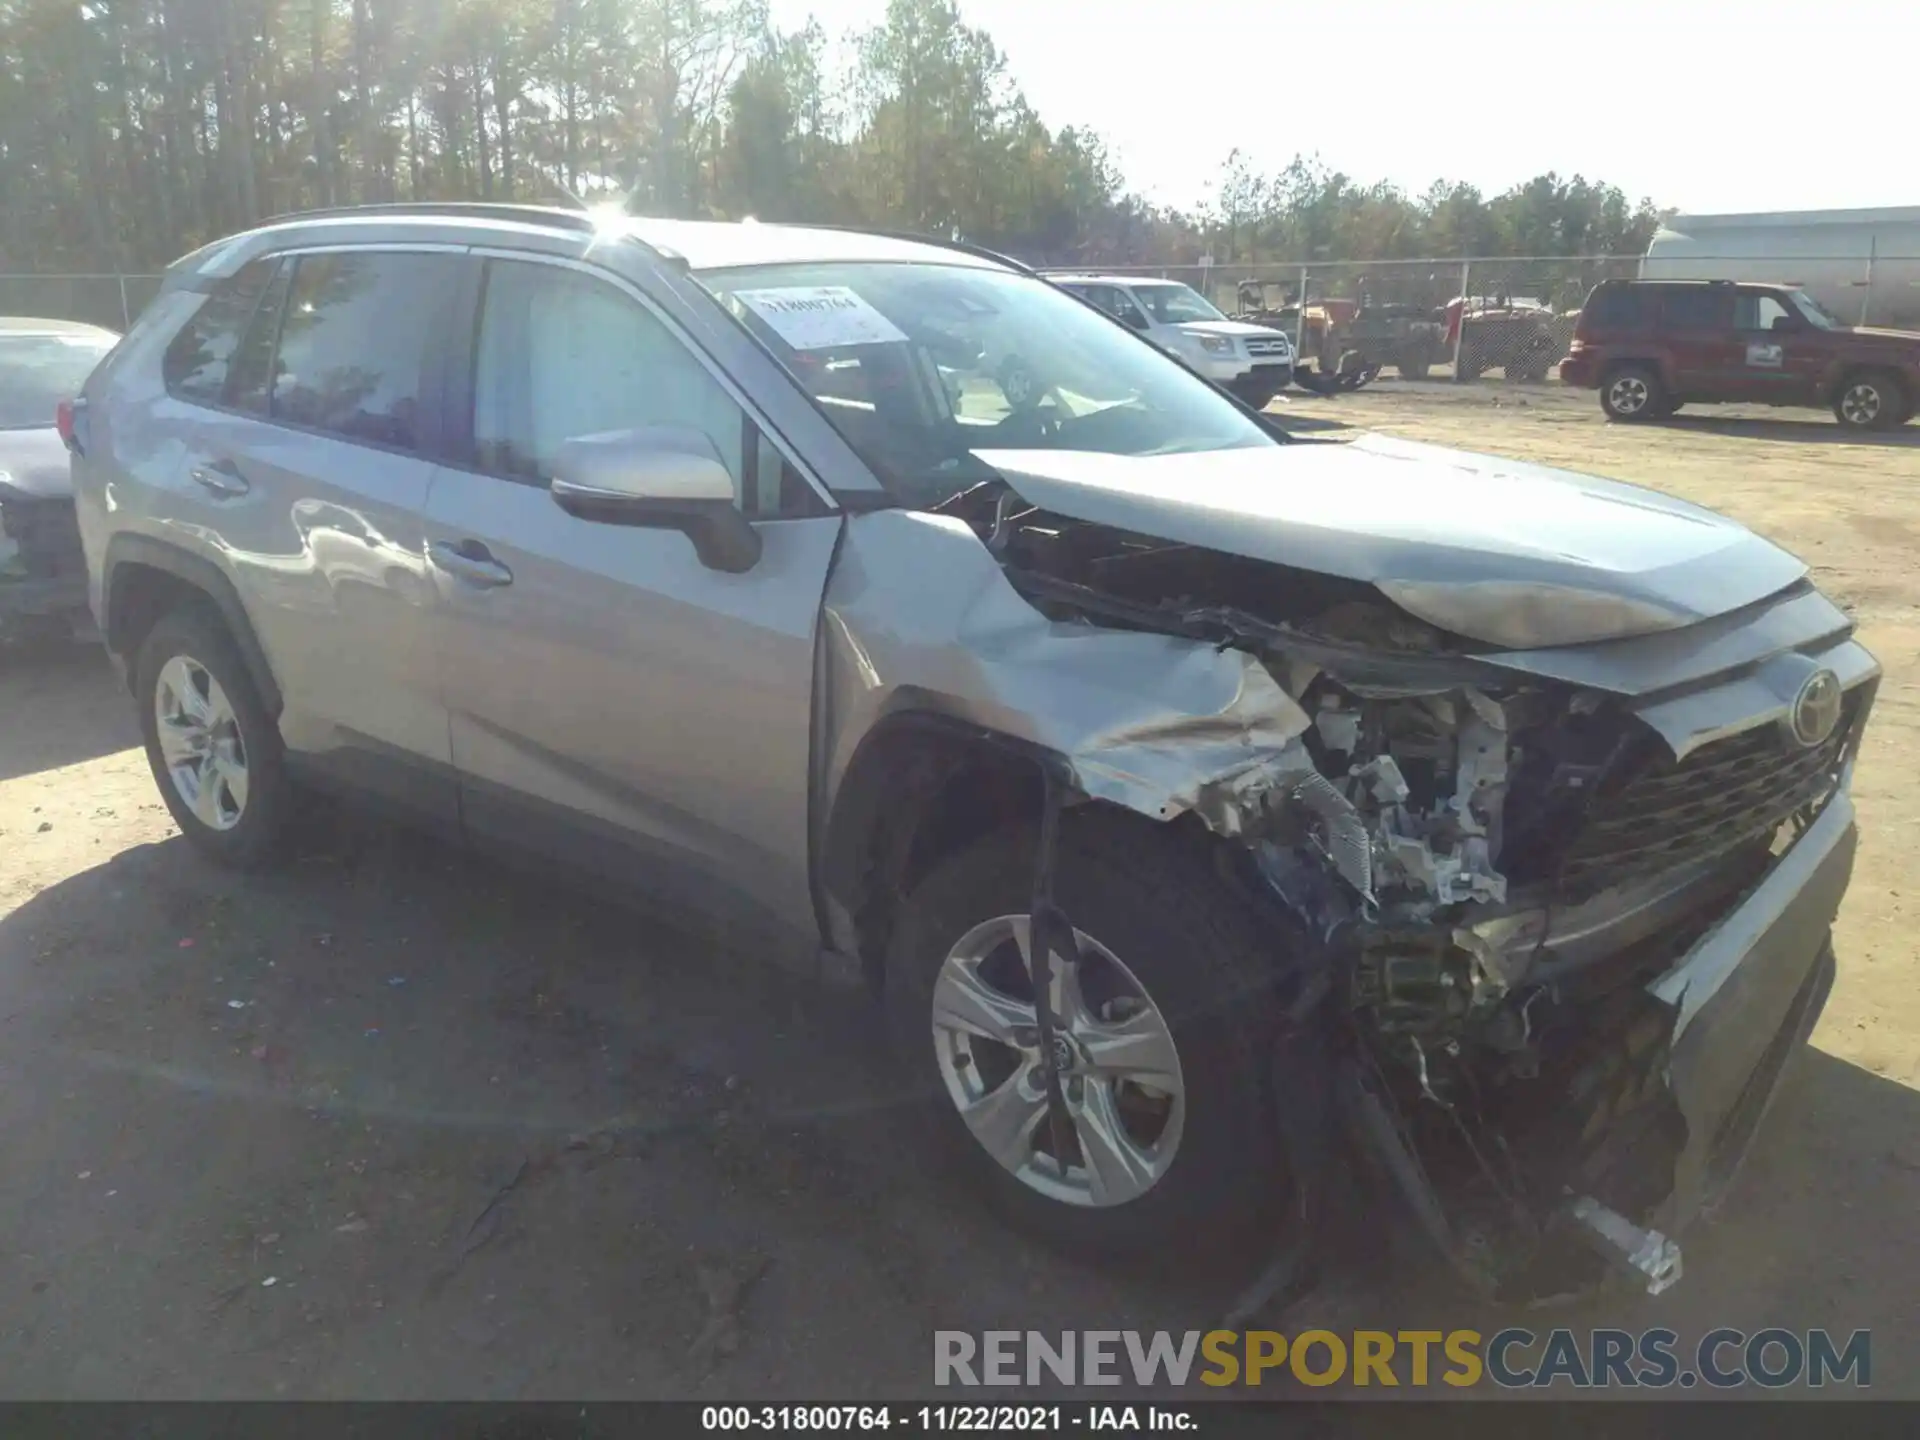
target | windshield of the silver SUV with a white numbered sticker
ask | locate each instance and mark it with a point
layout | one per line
(928, 370)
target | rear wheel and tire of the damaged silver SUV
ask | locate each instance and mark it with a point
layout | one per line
(191, 671)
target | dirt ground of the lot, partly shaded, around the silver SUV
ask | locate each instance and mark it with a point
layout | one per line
(396, 1124)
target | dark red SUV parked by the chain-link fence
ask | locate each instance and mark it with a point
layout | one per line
(1652, 347)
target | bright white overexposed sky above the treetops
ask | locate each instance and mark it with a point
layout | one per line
(1696, 105)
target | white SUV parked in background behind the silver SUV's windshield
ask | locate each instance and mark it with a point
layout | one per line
(1249, 360)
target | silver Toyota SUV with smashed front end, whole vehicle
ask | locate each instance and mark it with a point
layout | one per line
(1364, 805)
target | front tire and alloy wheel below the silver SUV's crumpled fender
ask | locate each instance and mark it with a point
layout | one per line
(1207, 971)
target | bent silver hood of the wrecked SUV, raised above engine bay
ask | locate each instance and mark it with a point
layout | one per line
(1458, 539)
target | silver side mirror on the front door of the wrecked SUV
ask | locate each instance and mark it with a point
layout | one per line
(663, 479)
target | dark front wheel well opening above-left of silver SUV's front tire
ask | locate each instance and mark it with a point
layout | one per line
(915, 794)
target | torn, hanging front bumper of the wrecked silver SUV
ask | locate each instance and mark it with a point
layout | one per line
(1646, 1118)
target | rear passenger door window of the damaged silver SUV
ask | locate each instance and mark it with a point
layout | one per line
(354, 343)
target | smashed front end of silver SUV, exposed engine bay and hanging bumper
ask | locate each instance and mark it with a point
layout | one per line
(1510, 886)
